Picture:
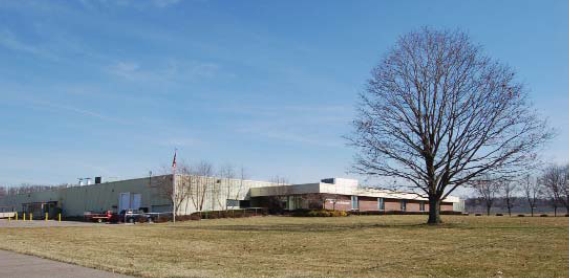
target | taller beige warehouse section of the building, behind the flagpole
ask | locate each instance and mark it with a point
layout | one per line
(151, 194)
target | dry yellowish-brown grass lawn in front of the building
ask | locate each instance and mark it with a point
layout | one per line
(356, 246)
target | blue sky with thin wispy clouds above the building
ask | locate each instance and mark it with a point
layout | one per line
(109, 88)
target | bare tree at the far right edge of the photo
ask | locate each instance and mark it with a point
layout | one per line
(555, 181)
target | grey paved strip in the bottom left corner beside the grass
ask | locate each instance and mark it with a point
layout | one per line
(18, 265)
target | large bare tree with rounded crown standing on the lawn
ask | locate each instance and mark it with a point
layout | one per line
(439, 113)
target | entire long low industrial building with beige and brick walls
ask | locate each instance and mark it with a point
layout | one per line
(198, 193)
